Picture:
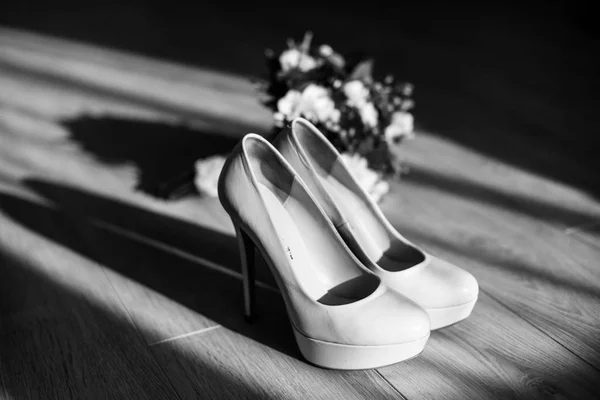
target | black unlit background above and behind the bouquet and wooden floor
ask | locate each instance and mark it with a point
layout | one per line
(515, 80)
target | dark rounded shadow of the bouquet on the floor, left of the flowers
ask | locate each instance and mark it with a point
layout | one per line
(160, 152)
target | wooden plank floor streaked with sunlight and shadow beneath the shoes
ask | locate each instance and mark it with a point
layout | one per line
(108, 292)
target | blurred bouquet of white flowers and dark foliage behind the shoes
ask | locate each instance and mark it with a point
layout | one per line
(362, 117)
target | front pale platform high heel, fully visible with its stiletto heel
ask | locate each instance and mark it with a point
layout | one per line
(343, 317)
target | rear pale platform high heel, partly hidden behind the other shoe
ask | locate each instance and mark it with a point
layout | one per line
(447, 292)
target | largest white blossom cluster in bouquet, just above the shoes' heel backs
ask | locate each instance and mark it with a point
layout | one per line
(314, 103)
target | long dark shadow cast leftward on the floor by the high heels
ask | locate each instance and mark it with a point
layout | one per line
(213, 294)
